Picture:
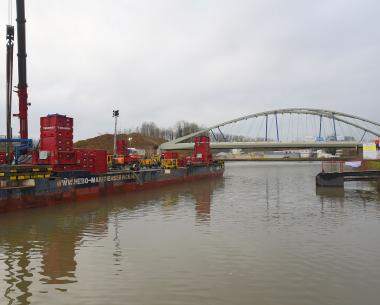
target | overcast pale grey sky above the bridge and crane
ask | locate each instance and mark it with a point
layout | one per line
(196, 60)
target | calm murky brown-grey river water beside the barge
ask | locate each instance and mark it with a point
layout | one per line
(263, 234)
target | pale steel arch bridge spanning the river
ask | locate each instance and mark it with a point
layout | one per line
(290, 128)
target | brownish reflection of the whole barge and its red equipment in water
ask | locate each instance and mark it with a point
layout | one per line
(41, 245)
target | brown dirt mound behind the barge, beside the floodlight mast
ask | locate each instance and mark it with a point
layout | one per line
(137, 140)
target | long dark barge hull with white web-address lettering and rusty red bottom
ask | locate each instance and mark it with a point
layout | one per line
(47, 192)
